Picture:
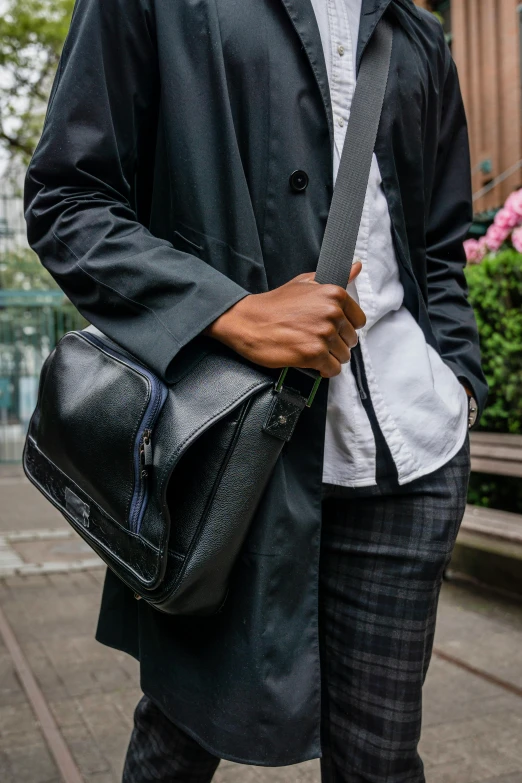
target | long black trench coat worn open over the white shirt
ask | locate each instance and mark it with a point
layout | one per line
(158, 196)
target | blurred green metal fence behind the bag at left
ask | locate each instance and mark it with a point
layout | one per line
(34, 314)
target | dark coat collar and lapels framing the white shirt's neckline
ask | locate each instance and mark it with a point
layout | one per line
(302, 16)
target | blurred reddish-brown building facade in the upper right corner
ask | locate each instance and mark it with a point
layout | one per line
(485, 39)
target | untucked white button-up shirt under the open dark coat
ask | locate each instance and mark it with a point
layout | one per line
(420, 405)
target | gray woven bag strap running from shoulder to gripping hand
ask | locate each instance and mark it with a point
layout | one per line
(342, 227)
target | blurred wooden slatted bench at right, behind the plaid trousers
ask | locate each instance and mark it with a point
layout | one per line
(489, 545)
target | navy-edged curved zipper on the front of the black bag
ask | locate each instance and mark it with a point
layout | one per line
(143, 452)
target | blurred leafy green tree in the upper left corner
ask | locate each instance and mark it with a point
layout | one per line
(32, 33)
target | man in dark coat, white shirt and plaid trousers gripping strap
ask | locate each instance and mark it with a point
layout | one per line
(180, 189)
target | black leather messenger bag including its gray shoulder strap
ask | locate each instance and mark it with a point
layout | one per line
(162, 481)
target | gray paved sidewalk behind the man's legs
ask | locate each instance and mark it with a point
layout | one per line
(472, 726)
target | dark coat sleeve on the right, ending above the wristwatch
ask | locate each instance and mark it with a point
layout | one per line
(450, 216)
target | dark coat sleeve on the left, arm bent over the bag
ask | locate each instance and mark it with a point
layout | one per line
(80, 197)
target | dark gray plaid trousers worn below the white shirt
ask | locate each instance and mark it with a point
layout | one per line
(383, 553)
